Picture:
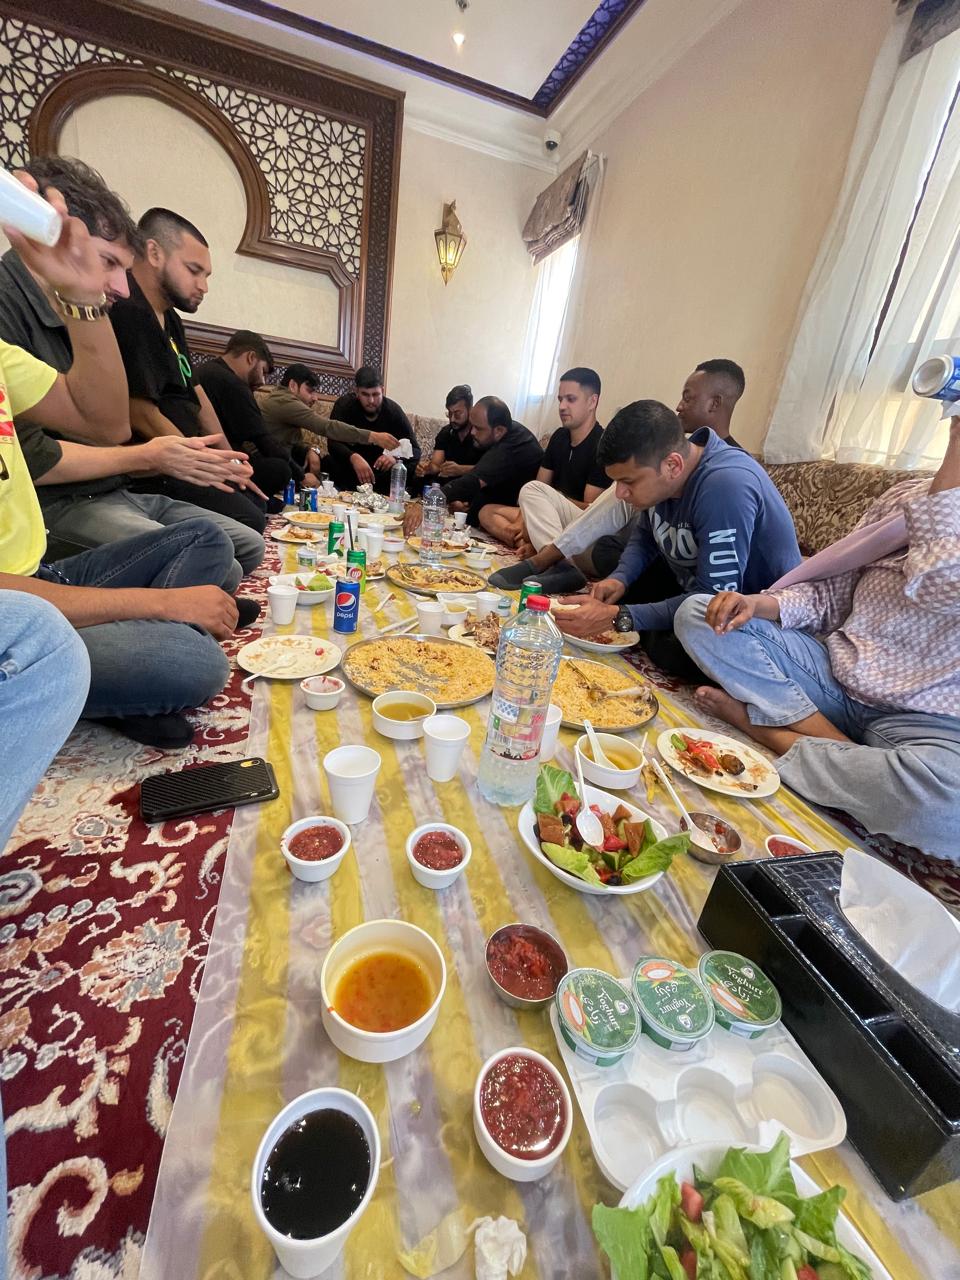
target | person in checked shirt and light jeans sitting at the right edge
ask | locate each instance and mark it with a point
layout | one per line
(851, 668)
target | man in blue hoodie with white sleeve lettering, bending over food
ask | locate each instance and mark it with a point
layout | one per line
(710, 516)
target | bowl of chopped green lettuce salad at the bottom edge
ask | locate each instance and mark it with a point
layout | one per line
(714, 1210)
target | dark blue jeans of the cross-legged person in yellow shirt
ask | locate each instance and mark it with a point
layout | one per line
(143, 668)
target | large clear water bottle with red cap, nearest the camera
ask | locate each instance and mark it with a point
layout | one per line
(528, 659)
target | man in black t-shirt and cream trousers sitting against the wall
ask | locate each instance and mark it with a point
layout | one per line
(569, 479)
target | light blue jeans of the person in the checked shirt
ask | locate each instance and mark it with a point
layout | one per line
(899, 775)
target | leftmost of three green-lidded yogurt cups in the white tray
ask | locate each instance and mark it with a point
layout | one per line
(597, 1016)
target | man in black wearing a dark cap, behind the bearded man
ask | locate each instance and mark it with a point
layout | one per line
(230, 383)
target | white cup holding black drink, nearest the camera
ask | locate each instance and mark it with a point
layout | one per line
(304, 1259)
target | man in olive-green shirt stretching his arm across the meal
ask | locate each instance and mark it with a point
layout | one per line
(291, 415)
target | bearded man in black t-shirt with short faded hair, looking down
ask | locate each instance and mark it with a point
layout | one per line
(172, 273)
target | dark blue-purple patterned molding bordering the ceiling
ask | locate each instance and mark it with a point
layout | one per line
(601, 29)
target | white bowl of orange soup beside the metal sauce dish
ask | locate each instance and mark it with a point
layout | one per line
(382, 985)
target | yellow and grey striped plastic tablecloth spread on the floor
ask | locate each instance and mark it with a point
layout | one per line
(258, 1040)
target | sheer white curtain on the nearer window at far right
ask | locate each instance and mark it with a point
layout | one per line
(845, 392)
